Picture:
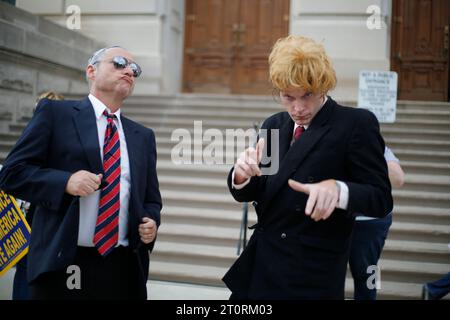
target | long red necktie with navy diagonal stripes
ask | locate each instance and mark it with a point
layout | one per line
(107, 227)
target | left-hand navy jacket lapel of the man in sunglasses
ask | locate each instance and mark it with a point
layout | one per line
(86, 125)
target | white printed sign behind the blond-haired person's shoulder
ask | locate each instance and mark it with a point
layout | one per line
(378, 93)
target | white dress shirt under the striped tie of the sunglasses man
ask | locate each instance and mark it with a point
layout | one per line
(89, 204)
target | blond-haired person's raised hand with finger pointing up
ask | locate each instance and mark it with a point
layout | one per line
(247, 165)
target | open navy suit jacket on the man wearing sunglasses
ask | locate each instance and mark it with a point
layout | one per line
(61, 139)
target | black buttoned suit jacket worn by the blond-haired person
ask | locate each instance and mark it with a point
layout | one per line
(290, 255)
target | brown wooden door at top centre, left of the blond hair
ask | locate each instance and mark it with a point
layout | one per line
(227, 43)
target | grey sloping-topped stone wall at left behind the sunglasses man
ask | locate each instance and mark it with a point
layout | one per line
(37, 55)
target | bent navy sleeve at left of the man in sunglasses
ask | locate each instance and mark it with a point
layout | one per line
(25, 174)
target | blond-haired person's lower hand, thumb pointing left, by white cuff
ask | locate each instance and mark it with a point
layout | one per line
(322, 200)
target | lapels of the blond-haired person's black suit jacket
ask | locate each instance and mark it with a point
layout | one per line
(299, 151)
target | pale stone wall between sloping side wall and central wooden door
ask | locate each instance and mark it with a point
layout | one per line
(152, 30)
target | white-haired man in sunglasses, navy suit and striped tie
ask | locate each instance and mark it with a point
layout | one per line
(91, 172)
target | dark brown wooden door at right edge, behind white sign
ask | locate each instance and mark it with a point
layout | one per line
(420, 48)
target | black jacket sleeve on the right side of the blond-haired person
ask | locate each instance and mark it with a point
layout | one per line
(369, 186)
